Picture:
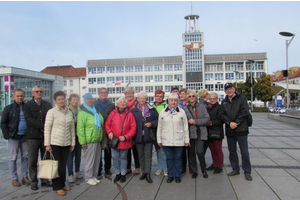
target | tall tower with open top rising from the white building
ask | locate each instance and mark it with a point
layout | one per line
(193, 53)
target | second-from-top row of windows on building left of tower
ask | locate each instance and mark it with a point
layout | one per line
(136, 79)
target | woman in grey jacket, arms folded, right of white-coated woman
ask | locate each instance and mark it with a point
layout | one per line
(198, 118)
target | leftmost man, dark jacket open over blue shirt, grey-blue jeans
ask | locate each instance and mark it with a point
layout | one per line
(13, 127)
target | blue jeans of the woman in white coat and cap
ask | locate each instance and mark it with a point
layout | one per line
(174, 160)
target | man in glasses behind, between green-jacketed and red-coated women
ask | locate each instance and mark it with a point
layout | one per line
(105, 107)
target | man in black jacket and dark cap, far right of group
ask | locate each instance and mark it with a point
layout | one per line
(235, 111)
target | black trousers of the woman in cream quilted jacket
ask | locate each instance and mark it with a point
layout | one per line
(61, 155)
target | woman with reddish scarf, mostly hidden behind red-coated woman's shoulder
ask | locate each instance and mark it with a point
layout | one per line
(131, 102)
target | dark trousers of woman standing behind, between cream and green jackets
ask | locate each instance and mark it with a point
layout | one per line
(77, 154)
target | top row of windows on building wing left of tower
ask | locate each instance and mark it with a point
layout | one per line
(139, 68)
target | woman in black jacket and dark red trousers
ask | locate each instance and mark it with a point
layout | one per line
(216, 125)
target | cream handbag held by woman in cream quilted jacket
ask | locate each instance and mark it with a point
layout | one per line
(48, 169)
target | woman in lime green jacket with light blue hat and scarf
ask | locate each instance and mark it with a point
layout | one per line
(89, 132)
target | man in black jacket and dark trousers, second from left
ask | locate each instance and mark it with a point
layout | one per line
(35, 112)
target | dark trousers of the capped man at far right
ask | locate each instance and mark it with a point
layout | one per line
(233, 156)
